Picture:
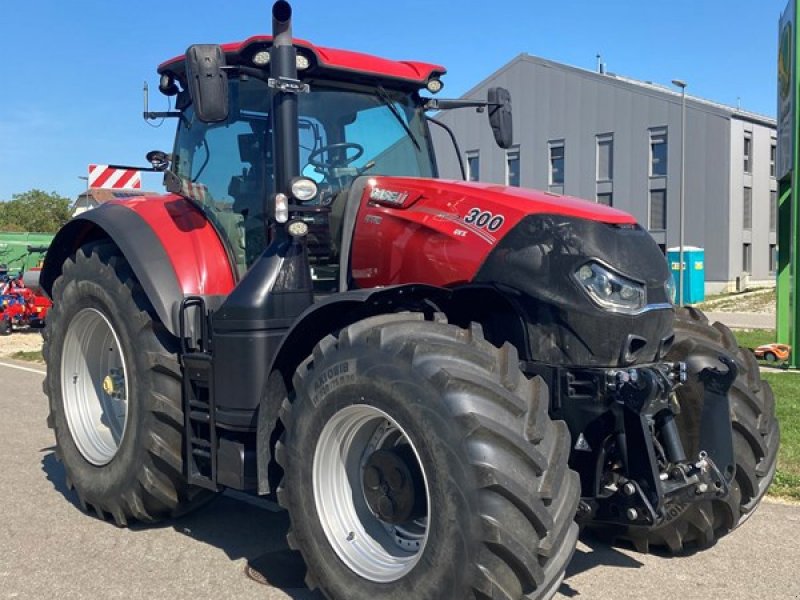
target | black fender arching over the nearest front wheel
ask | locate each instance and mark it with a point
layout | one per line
(495, 309)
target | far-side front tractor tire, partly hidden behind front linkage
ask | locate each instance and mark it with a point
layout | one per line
(755, 439)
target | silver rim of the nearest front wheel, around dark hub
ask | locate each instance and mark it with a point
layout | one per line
(372, 547)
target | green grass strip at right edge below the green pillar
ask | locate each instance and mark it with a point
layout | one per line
(787, 405)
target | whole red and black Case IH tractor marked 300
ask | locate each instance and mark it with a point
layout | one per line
(439, 380)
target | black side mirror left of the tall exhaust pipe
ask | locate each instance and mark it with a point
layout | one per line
(207, 82)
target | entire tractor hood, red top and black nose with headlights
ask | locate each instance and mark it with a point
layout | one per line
(594, 283)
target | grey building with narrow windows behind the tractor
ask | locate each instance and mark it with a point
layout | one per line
(617, 141)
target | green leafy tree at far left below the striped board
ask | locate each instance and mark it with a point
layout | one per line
(34, 210)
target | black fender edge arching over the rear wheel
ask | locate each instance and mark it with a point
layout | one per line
(137, 242)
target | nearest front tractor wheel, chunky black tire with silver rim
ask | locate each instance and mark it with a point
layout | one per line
(437, 431)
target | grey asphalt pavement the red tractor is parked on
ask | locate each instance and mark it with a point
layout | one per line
(50, 549)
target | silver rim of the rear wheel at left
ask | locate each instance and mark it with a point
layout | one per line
(94, 386)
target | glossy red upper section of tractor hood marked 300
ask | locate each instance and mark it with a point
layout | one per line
(441, 232)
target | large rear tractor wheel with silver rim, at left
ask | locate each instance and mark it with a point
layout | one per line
(114, 388)
